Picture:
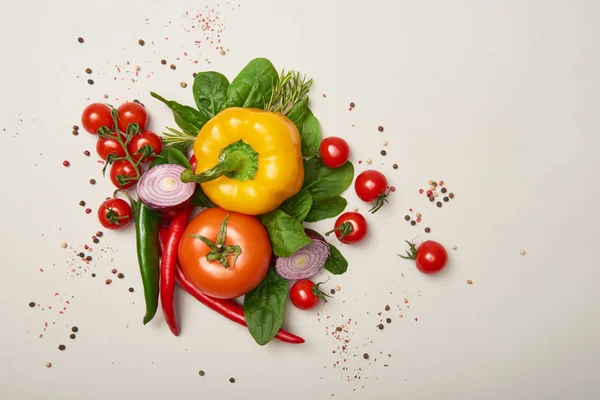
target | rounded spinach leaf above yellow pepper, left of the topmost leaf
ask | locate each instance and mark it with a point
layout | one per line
(210, 92)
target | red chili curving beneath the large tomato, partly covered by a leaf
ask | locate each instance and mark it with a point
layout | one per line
(227, 308)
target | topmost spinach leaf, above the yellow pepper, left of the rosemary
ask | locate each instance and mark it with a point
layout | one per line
(252, 85)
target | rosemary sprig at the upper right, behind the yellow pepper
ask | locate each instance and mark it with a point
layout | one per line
(288, 91)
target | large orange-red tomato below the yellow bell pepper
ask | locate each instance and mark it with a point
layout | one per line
(224, 276)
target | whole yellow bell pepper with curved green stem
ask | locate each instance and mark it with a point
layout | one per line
(248, 160)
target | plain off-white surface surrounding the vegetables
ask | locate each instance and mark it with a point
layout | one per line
(497, 98)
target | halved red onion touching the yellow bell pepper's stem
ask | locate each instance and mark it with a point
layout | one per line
(161, 189)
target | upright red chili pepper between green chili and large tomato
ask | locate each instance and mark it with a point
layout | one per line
(168, 265)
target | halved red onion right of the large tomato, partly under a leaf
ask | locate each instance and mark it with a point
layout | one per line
(306, 262)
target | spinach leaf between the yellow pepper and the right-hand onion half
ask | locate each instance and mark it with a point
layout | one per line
(286, 233)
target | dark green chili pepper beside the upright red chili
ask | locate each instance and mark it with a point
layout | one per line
(147, 224)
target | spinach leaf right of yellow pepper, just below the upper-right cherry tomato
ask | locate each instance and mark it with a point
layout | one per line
(323, 182)
